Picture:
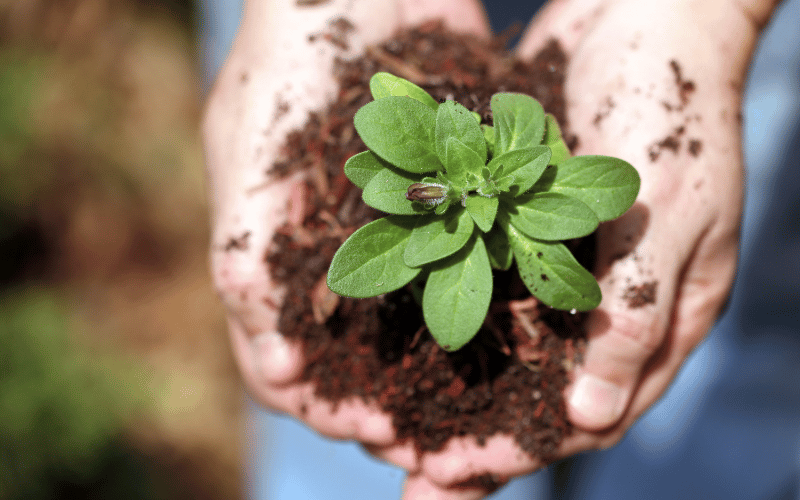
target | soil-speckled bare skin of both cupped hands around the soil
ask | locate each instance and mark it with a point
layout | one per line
(622, 99)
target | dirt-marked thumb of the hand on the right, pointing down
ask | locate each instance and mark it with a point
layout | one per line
(628, 327)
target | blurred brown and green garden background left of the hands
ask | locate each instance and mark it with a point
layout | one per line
(116, 379)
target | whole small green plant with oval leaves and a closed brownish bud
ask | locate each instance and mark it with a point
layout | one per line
(465, 198)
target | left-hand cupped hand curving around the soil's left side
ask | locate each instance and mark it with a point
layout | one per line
(273, 77)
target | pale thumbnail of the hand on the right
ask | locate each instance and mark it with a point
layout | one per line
(598, 401)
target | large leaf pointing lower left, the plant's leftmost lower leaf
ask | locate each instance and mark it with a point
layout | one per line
(370, 262)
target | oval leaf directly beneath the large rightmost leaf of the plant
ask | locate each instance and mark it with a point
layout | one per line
(551, 216)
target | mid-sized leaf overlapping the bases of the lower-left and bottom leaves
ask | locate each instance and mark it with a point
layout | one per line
(436, 237)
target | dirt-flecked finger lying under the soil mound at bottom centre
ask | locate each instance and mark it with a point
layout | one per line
(463, 459)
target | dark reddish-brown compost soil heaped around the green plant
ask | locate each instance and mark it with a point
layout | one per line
(510, 378)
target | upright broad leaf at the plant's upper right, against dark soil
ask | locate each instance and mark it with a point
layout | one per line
(518, 122)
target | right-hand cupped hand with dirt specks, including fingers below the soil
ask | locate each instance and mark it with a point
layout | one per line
(627, 98)
